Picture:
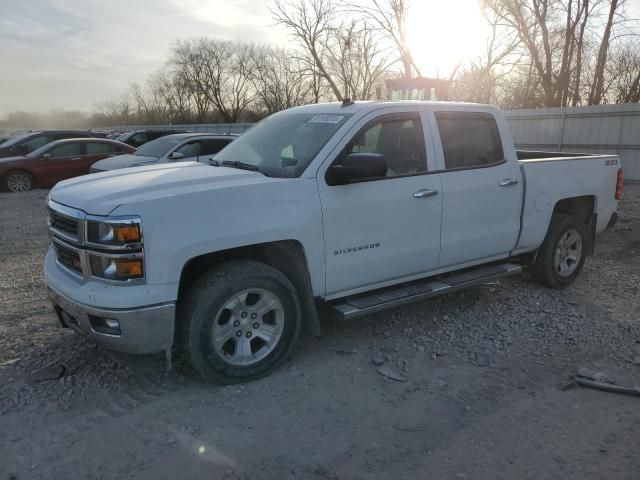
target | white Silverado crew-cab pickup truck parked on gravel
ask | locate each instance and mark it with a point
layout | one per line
(355, 206)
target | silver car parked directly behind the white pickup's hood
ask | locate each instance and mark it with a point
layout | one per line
(180, 147)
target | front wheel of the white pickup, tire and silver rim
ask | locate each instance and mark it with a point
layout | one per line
(239, 322)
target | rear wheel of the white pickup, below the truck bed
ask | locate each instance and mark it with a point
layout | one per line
(562, 255)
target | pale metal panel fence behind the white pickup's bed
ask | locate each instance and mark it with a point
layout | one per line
(596, 129)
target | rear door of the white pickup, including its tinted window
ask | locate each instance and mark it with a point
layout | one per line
(482, 190)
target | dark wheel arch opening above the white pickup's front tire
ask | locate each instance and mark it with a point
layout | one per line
(287, 256)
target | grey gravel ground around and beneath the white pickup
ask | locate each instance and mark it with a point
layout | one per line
(481, 400)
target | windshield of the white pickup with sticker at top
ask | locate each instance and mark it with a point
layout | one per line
(283, 144)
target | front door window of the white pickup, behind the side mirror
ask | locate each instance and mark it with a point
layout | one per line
(399, 137)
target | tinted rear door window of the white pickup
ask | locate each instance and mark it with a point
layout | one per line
(469, 139)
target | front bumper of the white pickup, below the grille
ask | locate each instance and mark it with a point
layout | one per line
(142, 330)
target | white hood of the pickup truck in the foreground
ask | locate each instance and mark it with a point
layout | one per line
(101, 193)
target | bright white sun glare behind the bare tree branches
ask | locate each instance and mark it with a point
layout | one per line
(442, 33)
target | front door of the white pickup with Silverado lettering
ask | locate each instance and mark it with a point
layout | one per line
(385, 229)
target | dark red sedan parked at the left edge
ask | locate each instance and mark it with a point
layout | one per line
(56, 161)
